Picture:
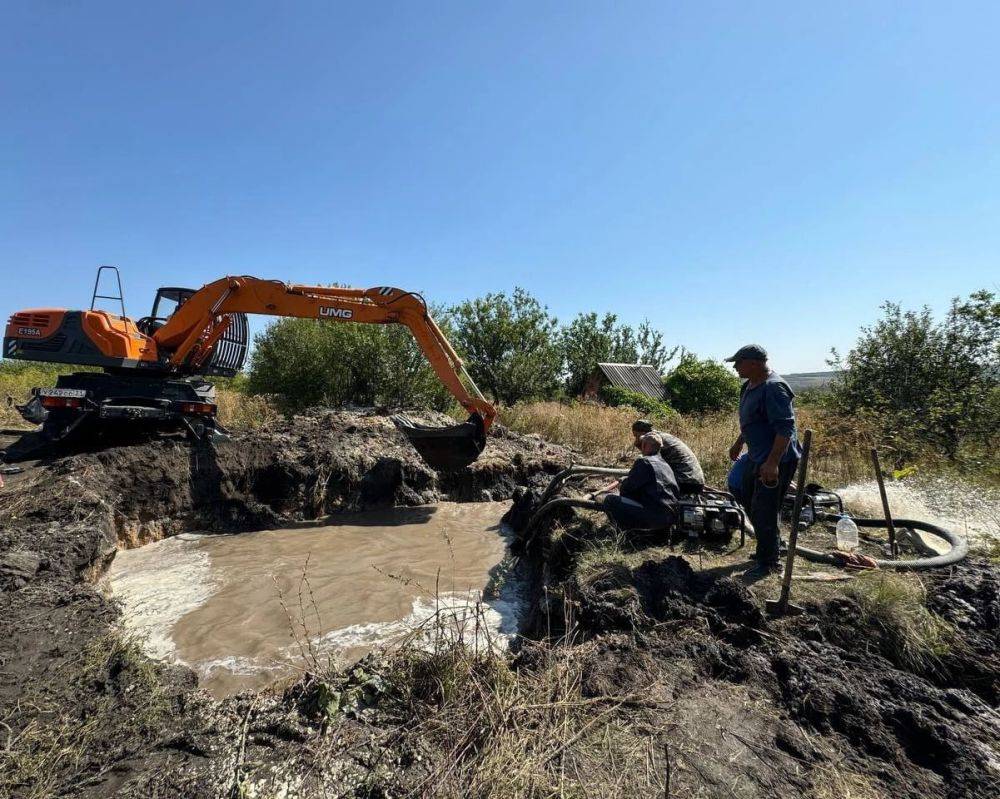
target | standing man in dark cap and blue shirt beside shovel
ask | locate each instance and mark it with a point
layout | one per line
(767, 428)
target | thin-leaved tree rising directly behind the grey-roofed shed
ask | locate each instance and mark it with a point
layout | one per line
(589, 340)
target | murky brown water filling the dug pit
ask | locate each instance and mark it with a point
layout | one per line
(244, 610)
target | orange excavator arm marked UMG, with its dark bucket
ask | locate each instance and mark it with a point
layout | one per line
(192, 331)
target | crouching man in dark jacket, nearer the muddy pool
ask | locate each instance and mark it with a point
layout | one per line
(647, 495)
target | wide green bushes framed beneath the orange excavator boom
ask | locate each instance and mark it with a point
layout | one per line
(306, 362)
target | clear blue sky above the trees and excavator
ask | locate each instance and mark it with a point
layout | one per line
(734, 172)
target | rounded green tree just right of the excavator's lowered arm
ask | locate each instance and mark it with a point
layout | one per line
(509, 345)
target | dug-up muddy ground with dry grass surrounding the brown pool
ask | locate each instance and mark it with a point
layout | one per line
(690, 689)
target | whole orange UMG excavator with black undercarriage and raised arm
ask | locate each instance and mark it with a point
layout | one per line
(153, 368)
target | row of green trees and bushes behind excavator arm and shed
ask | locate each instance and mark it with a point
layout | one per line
(512, 346)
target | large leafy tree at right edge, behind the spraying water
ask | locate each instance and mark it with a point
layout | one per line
(926, 382)
